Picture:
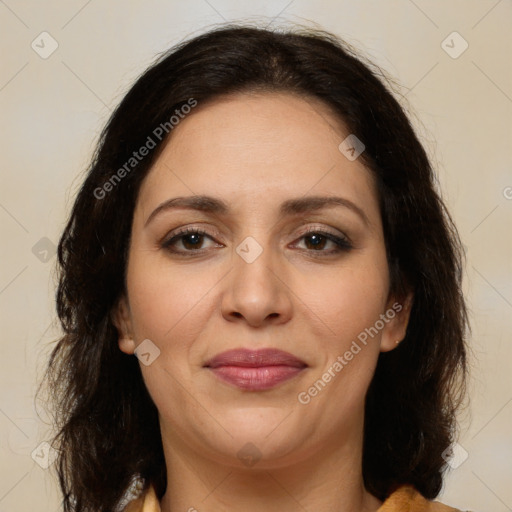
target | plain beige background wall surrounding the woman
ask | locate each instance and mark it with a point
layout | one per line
(52, 111)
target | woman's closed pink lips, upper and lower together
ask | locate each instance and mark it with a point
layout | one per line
(255, 370)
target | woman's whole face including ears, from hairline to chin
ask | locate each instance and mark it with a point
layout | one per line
(288, 254)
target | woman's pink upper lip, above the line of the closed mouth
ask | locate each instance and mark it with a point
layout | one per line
(255, 358)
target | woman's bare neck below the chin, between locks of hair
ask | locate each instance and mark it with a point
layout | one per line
(326, 479)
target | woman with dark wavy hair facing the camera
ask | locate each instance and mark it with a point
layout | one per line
(260, 229)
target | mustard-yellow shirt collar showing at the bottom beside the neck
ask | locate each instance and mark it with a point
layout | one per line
(404, 499)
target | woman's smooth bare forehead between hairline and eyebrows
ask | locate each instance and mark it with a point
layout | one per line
(258, 148)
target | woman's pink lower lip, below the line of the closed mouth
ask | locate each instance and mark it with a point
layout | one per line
(255, 379)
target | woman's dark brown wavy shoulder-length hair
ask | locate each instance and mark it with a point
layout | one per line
(107, 424)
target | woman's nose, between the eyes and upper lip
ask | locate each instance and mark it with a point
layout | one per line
(256, 292)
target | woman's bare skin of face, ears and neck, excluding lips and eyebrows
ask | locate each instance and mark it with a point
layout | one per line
(255, 151)
